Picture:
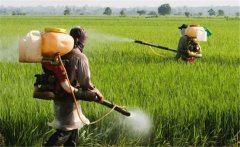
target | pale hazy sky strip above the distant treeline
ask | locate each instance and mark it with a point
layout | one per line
(119, 3)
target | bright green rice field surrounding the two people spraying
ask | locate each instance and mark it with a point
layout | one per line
(190, 104)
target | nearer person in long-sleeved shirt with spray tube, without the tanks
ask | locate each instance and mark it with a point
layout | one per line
(77, 73)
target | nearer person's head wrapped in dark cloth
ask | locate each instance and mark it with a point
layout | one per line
(79, 36)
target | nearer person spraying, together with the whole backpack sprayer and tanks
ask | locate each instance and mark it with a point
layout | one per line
(66, 79)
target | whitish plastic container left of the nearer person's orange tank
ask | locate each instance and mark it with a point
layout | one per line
(30, 47)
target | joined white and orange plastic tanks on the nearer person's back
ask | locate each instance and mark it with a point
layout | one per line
(37, 44)
